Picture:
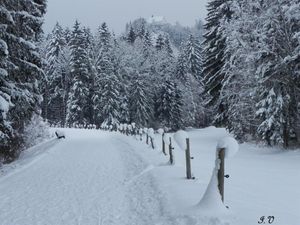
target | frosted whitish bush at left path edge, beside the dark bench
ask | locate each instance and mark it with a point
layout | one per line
(35, 131)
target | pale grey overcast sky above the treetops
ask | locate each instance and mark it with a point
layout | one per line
(118, 12)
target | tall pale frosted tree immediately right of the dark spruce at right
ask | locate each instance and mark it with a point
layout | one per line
(239, 68)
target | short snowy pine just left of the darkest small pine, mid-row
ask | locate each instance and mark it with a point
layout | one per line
(141, 106)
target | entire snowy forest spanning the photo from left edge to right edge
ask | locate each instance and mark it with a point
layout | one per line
(243, 74)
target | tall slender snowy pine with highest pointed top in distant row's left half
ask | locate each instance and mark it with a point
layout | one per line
(78, 97)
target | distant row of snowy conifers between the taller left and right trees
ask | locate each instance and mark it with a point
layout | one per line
(103, 79)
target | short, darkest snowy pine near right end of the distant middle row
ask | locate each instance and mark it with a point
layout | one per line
(168, 106)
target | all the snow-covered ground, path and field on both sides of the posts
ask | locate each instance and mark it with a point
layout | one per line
(94, 177)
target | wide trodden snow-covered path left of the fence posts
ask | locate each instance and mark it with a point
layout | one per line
(90, 178)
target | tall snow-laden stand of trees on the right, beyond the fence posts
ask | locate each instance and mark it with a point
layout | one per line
(251, 68)
